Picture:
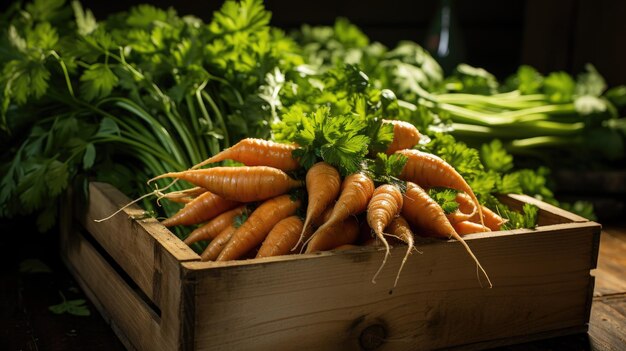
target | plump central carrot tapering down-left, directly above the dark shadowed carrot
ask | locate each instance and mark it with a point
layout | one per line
(355, 194)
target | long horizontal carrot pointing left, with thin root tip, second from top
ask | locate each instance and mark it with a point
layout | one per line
(244, 184)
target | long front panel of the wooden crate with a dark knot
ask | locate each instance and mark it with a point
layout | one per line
(540, 279)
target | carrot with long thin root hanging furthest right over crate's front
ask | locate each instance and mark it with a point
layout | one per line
(421, 211)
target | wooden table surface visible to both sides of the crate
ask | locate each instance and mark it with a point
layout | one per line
(26, 322)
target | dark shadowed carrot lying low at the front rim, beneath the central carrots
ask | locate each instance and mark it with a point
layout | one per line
(335, 235)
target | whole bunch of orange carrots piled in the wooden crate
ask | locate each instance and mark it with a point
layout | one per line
(252, 210)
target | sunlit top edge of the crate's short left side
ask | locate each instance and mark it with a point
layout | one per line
(170, 242)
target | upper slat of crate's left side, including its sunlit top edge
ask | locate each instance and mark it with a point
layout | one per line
(137, 245)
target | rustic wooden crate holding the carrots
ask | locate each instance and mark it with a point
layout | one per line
(157, 295)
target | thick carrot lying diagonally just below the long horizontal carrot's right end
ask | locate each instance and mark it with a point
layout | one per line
(254, 230)
